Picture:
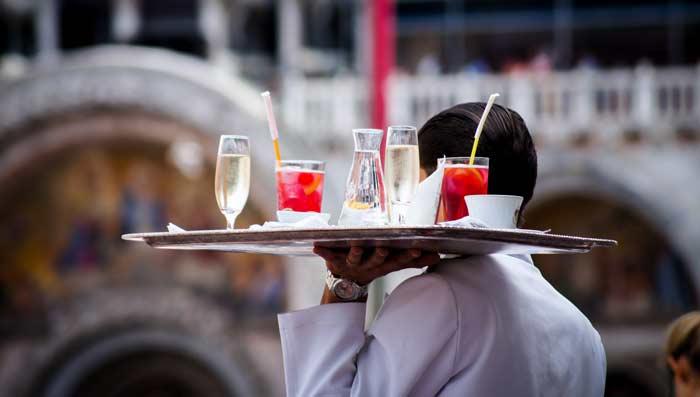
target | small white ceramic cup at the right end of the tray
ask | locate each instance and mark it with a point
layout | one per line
(497, 210)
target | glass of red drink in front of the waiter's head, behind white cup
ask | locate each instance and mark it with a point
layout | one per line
(462, 179)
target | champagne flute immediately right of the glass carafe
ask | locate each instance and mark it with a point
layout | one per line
(402, 170)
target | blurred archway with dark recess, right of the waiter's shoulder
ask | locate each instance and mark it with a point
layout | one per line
(651, 188)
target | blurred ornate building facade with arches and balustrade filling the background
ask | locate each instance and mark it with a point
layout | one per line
(109, 117)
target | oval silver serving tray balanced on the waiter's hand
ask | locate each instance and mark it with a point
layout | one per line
(442, 239)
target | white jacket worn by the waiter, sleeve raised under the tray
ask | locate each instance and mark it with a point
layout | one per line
(478, 326)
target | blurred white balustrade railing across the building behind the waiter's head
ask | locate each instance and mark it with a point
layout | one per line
(557, 106)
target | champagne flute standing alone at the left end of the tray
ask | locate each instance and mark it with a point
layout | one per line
(232, 180)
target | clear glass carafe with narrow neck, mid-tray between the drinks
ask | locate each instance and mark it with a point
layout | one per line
(365, 200)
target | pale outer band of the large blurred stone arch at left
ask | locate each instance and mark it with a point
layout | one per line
(176, 87)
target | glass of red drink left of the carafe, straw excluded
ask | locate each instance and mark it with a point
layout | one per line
(300, 185)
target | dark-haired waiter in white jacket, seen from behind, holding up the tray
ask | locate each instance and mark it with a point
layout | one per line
(472, 326)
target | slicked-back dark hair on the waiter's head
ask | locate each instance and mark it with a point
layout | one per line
(505, 140)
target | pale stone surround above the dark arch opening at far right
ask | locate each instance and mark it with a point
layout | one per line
(651, 181)
